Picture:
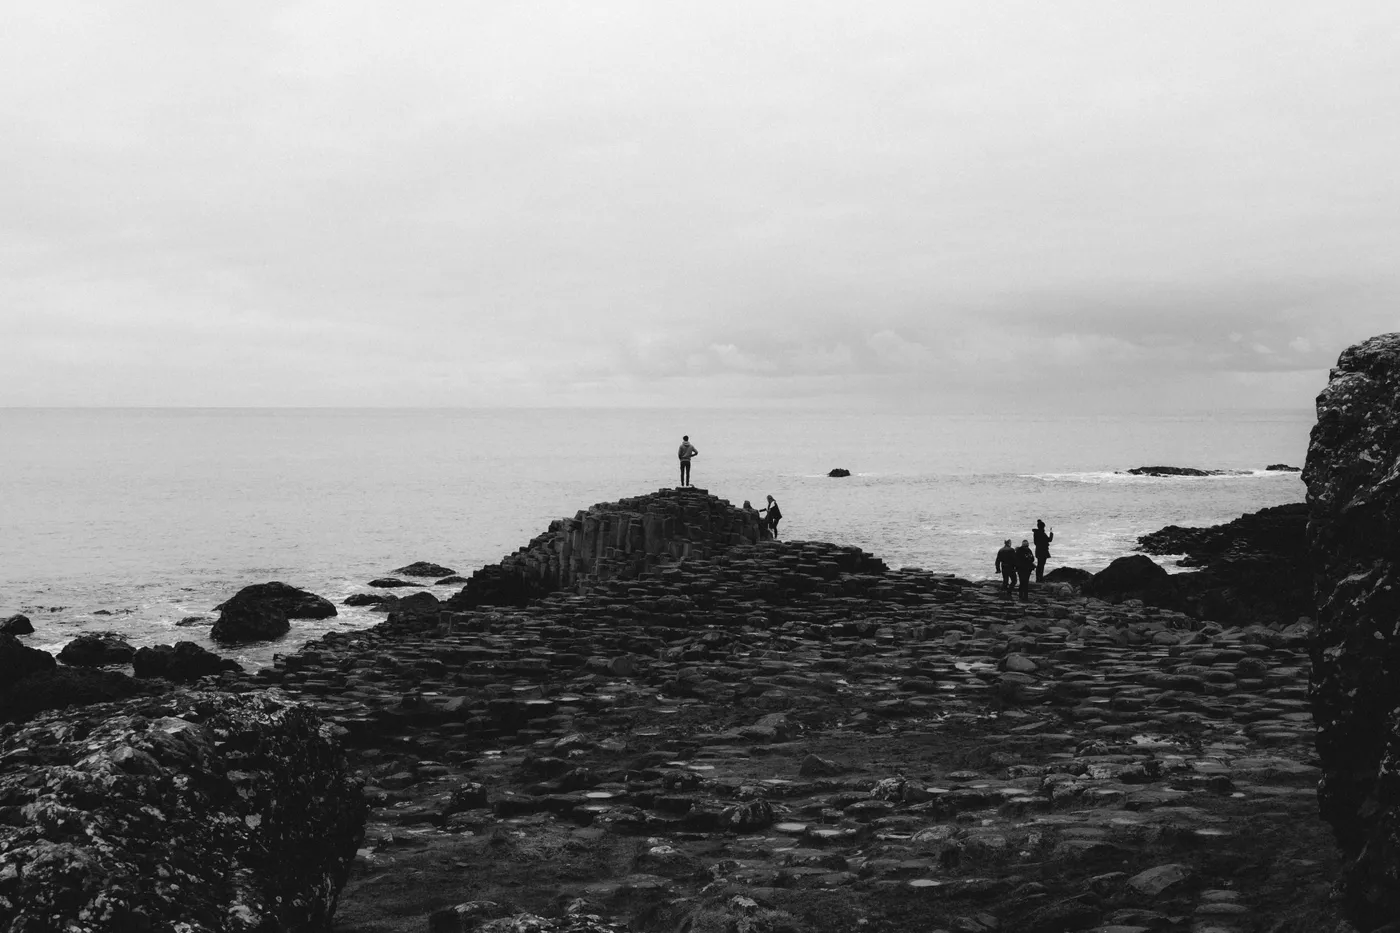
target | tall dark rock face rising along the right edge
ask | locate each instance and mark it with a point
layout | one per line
(1353, 481)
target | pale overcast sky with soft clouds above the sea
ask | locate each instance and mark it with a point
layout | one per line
(939, 207)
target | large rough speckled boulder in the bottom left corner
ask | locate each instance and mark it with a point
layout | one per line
(197, 812)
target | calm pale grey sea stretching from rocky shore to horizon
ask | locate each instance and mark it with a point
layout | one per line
(157, 515)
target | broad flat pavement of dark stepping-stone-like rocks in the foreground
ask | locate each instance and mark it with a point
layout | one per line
(790, 736)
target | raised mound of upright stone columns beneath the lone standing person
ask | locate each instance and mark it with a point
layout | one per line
(614, 541)
